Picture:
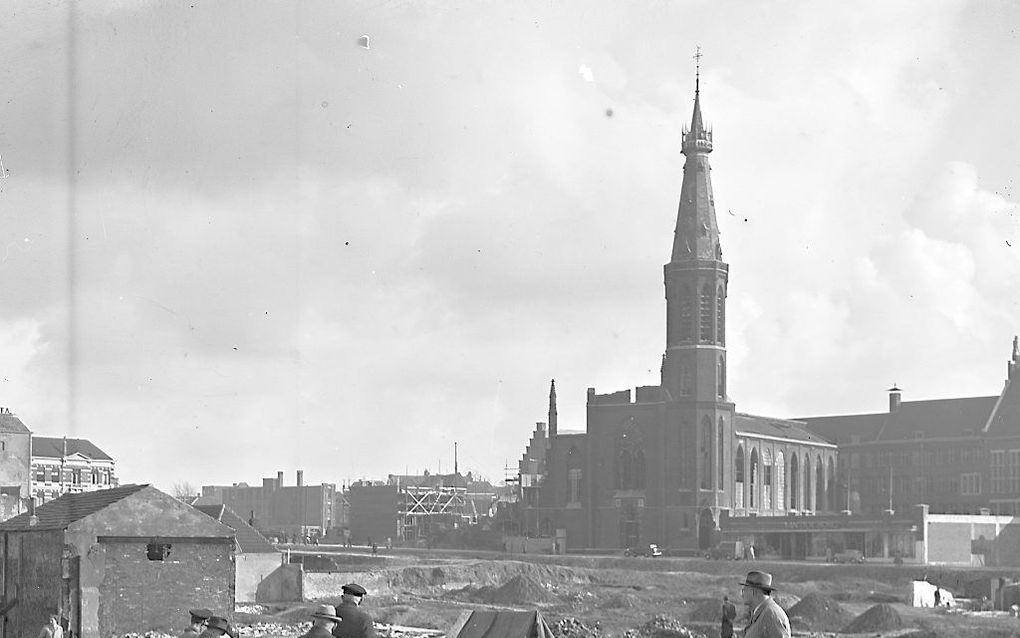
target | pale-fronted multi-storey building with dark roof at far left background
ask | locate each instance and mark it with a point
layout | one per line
(62, 466)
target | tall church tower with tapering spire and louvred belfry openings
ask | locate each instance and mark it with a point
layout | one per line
(694, 370)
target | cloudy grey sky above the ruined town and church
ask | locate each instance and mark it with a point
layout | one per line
(234, 241)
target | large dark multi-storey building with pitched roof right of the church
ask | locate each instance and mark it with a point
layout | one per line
(958, 456)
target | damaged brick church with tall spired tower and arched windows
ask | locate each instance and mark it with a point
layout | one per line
(661, 464)
